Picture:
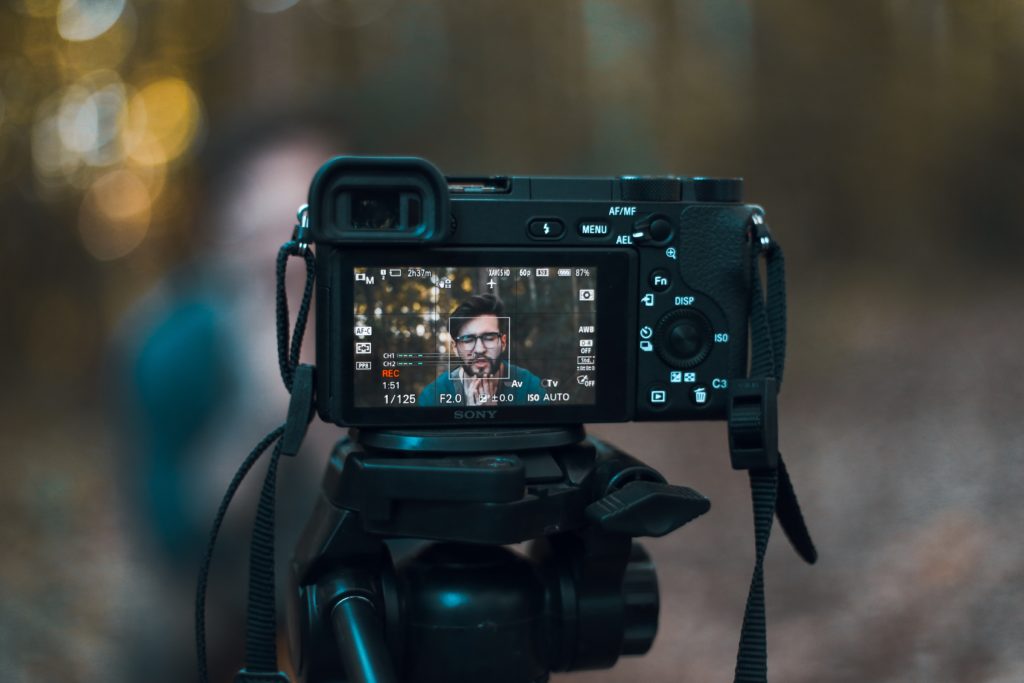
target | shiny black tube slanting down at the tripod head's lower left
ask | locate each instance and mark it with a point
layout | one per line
(361, 642)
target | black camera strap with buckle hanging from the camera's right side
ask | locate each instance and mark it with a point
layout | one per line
(754, 445)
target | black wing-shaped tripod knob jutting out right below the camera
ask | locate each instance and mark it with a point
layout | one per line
(648, 508)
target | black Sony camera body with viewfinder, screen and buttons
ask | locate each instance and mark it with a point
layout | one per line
(525, 301)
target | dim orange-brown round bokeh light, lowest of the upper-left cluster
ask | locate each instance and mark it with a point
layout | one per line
(115, 216)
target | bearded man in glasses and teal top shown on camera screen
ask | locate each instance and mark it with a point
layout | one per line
(480, 334)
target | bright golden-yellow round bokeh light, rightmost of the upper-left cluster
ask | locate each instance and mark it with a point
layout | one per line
(162, 121)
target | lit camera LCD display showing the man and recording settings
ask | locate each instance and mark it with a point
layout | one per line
(442, 336)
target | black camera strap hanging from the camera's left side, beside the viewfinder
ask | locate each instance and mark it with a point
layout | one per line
(262, 621)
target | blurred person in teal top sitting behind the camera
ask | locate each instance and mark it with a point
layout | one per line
(199, 387)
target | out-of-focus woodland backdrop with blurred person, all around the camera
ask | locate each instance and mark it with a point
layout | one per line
(152, 158)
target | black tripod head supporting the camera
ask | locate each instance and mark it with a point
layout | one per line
(465, 608)
